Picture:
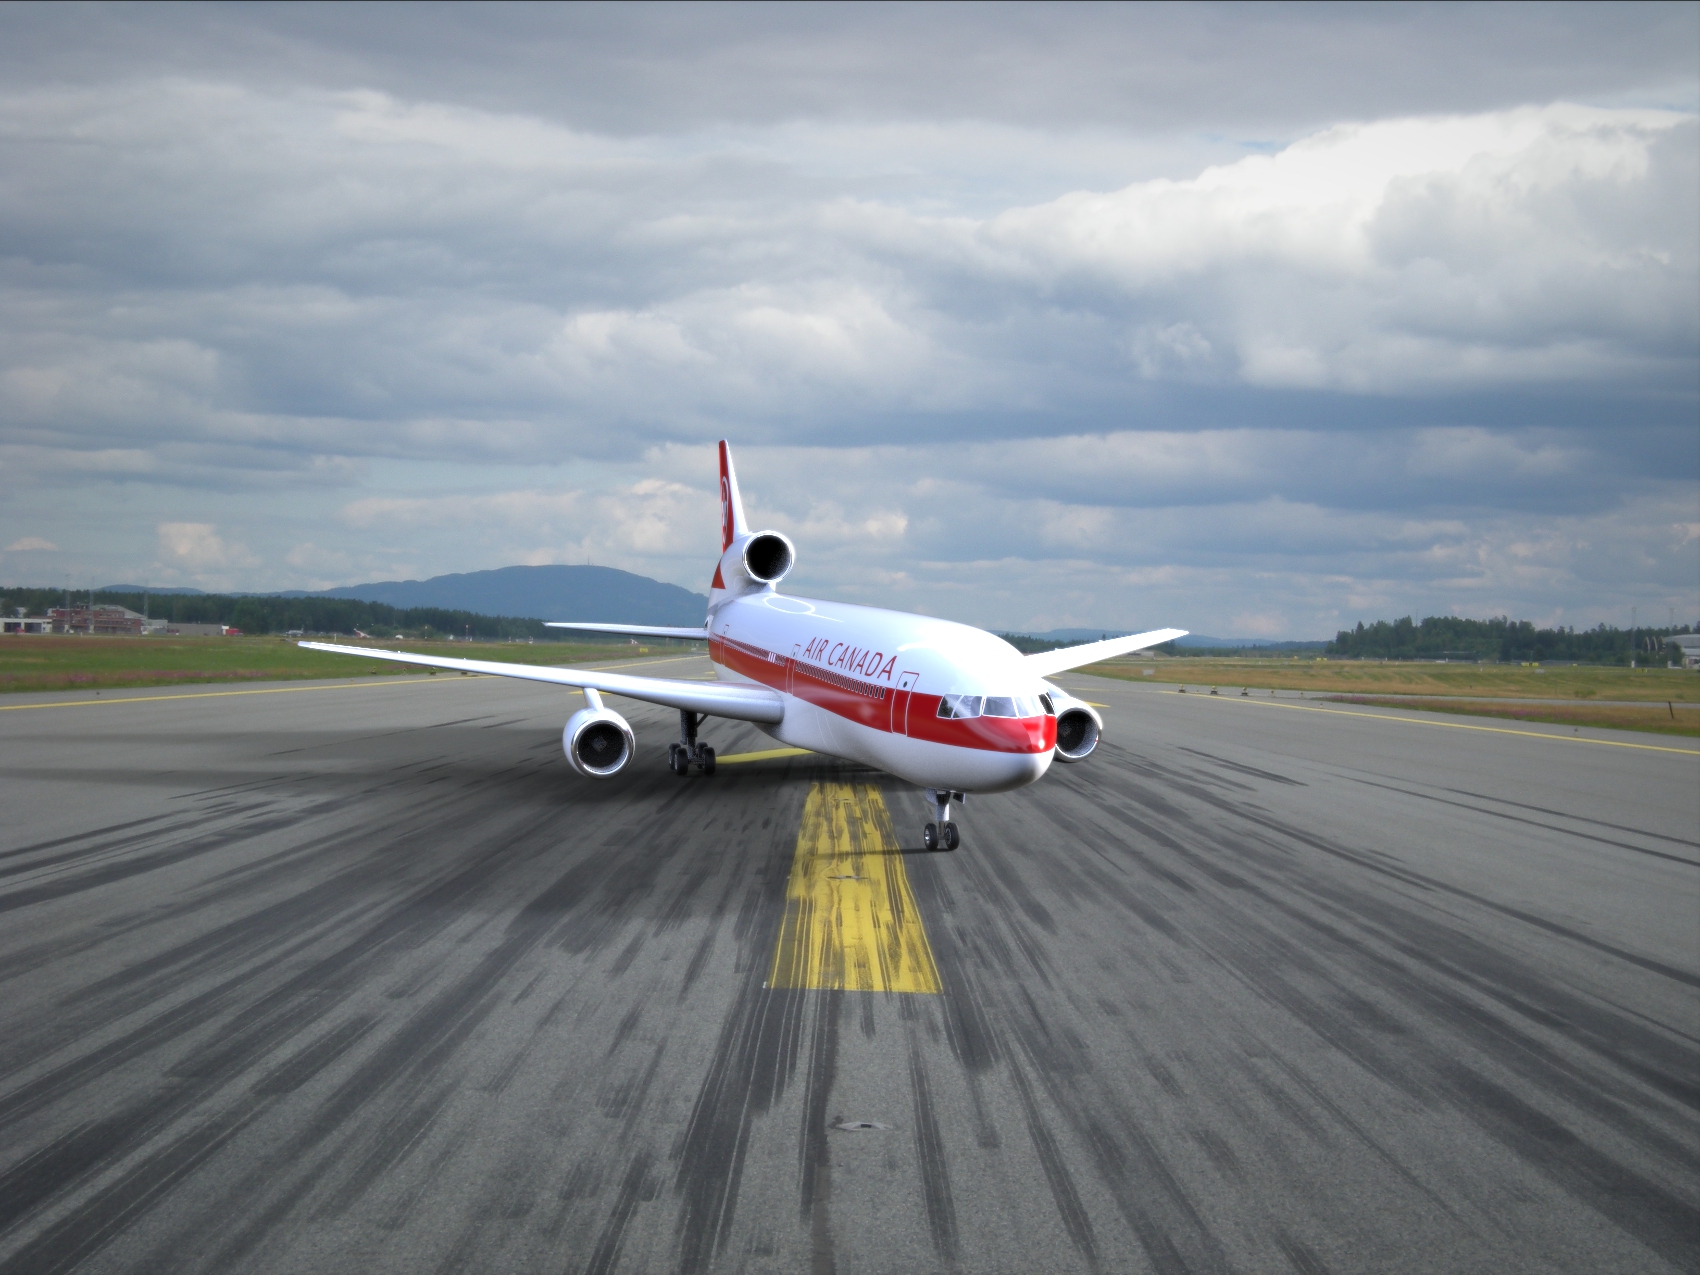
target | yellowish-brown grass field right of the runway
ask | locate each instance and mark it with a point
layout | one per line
(1665, 701)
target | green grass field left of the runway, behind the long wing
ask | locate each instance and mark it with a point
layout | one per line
(98, 664)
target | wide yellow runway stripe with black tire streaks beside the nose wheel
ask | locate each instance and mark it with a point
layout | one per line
(851, 921)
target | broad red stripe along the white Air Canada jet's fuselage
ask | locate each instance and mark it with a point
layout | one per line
(992, 735)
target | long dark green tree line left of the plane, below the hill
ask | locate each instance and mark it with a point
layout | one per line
(322, 616)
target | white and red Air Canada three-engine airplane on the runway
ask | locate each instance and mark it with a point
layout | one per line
(944, 706)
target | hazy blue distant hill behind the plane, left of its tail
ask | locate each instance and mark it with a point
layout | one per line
(543, 592)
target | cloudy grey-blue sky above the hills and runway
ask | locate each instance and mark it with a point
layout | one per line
(1250, 320)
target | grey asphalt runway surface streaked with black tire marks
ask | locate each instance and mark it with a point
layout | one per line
(365, 978)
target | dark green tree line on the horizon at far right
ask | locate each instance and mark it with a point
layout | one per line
(1504, 640)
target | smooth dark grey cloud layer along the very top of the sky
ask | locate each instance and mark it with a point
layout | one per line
(664, 69)
